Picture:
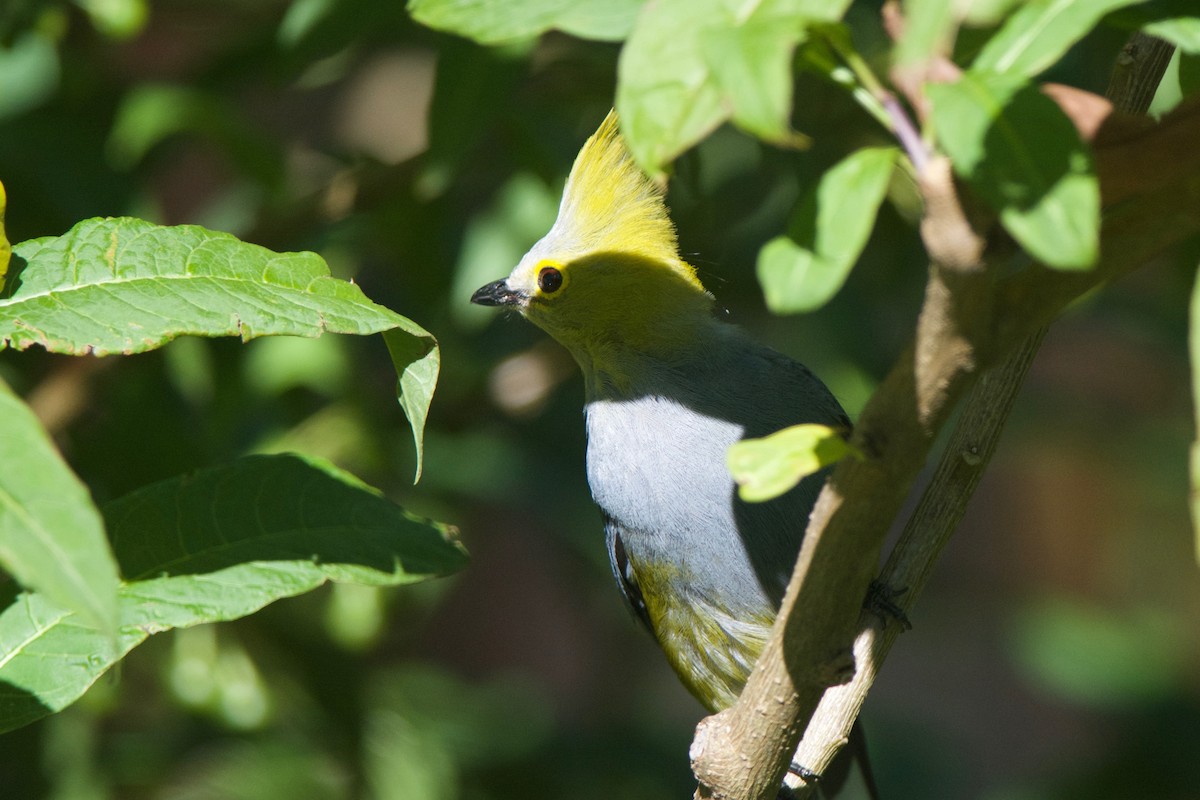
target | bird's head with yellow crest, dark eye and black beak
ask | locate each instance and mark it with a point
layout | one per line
(608, 279)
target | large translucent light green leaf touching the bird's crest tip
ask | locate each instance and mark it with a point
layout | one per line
(673, 92)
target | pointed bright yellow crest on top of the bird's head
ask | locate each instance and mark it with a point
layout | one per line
(610, 206)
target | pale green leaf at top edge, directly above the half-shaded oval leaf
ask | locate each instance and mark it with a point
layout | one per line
(1041, 33)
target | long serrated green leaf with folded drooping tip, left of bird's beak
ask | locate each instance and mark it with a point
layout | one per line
(128, 286)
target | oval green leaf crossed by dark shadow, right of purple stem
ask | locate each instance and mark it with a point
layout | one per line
(1025, 159)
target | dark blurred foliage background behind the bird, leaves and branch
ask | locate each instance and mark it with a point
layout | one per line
(1055, 653)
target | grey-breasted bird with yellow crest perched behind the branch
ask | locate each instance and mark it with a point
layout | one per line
(669, 388)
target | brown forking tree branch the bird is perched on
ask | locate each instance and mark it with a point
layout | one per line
(965, 326)
